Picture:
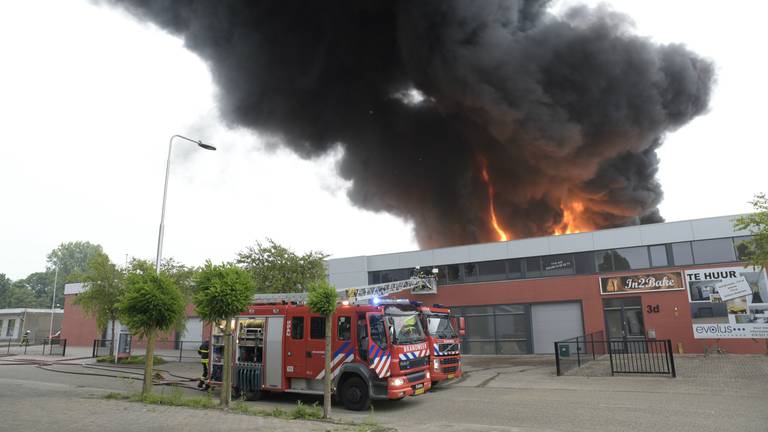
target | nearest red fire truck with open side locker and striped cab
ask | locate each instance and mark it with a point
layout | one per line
(379, 351)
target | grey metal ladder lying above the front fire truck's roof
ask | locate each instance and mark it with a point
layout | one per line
(417, 285)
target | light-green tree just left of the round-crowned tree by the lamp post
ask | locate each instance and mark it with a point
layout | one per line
(105, 287)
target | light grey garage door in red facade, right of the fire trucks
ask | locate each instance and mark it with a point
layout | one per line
(552, 322)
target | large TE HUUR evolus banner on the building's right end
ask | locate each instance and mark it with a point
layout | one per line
(728, 303)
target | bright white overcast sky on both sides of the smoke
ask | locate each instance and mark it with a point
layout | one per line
(89, 98)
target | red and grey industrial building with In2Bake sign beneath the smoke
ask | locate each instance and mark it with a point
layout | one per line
(648, 281)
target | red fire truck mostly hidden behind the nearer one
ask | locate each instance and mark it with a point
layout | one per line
(443, 340)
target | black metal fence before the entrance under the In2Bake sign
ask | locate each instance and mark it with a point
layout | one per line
(625, 356)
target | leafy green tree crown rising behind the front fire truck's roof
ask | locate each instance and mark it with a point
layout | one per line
(276, 269)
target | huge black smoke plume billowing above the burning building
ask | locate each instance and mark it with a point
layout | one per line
(562, 108)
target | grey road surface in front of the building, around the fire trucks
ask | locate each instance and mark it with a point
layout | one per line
(728, 393)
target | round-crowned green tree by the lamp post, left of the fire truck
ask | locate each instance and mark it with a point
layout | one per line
(150, 304)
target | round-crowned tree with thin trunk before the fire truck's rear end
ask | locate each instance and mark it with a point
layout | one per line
(223, 291)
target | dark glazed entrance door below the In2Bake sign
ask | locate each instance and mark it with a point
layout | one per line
(624, 319)
